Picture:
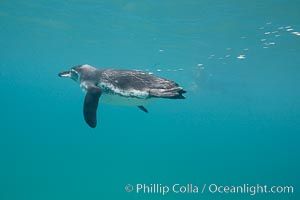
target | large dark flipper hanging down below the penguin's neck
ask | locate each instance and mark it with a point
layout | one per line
(91, 104)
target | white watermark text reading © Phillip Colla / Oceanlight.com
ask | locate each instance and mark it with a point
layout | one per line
(177, 188)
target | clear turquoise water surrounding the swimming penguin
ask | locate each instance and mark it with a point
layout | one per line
(238, 60)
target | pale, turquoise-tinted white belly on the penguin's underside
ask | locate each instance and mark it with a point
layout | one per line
(125, 101)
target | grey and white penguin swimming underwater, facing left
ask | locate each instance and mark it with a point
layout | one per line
(121, 87)
